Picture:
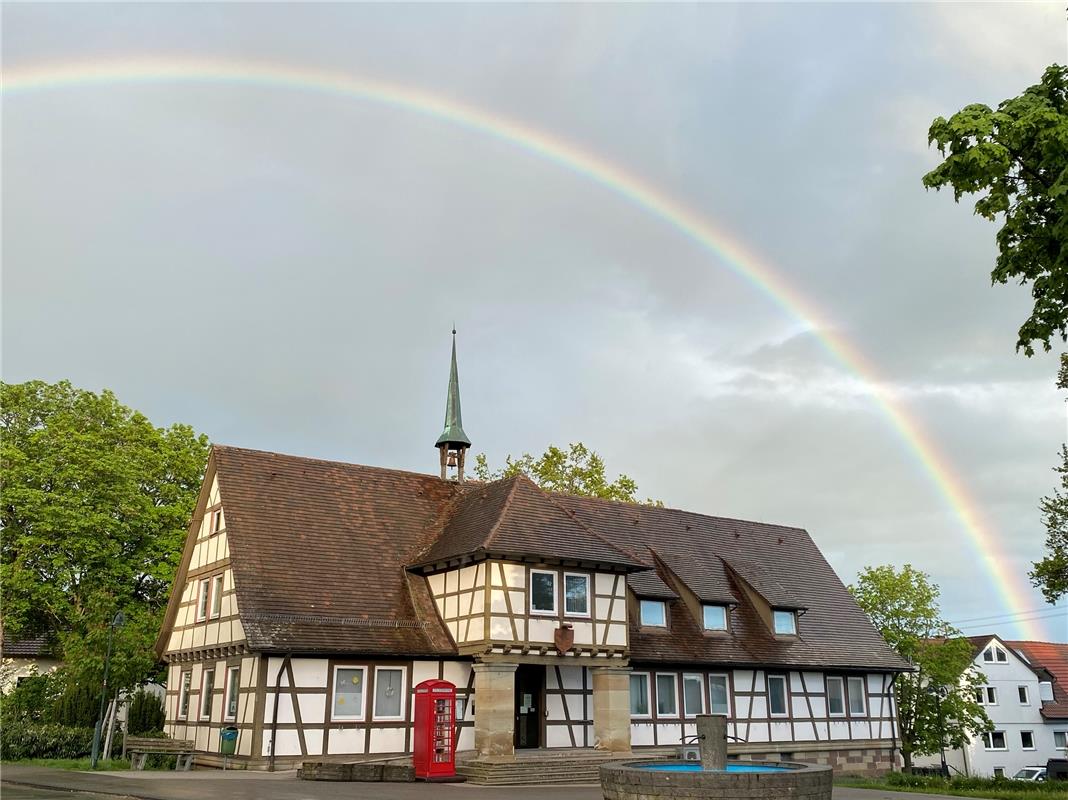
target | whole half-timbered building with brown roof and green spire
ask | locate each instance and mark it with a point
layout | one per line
(313, 597)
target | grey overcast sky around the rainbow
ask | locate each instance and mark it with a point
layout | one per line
(280, 269)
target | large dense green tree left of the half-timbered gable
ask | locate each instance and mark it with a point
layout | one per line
(95, 505)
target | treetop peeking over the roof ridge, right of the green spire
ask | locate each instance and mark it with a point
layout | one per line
(577, 470)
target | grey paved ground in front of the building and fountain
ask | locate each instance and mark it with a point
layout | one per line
(40, 783)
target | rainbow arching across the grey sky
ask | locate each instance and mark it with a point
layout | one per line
(1015, 594)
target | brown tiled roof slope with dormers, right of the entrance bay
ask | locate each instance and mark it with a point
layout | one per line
(834, 632)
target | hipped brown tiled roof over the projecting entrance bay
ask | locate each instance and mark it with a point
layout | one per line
(514, 517)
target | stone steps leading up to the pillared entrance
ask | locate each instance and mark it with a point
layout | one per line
(545, 768)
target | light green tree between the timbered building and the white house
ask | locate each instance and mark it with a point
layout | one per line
(937, 702)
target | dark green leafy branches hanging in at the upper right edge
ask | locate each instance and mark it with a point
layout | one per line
(1017, 159)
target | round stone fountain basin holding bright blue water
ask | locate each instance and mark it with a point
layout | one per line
(653, 780)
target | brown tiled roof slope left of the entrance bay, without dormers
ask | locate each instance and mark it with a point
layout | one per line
(319, 548)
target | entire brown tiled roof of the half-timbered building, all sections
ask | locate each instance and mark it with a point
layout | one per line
(320, 552)
